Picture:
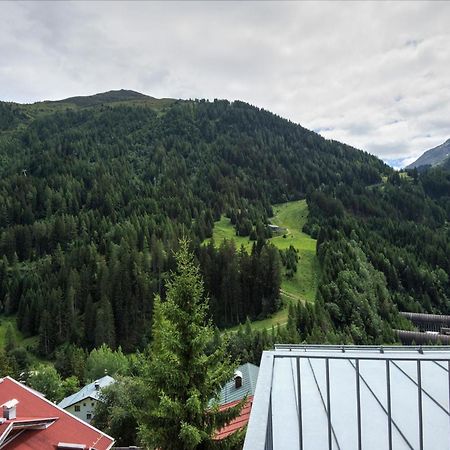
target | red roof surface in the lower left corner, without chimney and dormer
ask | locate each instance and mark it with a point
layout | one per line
(63, 428)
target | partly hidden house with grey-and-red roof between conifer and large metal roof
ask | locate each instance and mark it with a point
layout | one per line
(243, 384)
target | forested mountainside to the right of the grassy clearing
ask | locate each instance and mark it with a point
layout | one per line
(382, 246)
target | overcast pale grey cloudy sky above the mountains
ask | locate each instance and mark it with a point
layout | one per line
(373, 75)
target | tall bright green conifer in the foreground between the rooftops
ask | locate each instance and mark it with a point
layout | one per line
(181, 377)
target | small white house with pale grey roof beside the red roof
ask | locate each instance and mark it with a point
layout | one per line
(82, 403)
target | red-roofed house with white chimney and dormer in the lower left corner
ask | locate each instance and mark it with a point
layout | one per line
(31, 422)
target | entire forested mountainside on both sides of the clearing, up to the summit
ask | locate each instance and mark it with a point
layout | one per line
(94, 195)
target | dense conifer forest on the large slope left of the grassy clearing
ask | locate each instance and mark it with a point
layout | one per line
(93, 200)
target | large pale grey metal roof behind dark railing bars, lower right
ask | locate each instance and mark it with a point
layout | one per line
(334, 397)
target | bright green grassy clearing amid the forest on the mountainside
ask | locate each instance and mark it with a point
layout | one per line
(303, 286)
